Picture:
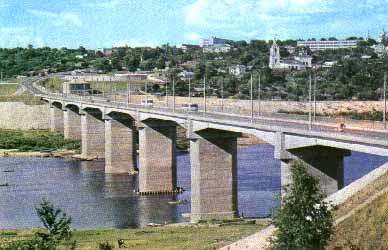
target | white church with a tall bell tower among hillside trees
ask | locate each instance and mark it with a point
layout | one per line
(299, 62)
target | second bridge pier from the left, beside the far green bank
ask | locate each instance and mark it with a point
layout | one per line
(72, 123)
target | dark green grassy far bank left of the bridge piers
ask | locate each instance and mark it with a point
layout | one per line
(35, 141)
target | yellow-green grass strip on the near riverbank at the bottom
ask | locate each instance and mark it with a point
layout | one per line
(203, 237)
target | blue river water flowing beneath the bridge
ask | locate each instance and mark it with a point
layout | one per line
(96, 200)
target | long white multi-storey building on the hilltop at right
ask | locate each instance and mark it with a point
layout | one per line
(331, 44)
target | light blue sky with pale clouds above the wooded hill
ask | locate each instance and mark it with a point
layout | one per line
(105, 23)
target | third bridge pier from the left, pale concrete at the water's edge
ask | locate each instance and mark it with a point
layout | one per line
(93, 134)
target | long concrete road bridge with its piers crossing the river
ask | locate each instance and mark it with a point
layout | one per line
(107, 130)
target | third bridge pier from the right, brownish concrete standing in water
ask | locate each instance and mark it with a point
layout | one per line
(157, 170)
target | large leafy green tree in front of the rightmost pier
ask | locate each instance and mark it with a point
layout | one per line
(304, 220)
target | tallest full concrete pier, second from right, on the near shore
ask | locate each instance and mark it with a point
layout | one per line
(213, 156)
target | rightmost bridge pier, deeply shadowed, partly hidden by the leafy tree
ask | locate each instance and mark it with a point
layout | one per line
(324, 163)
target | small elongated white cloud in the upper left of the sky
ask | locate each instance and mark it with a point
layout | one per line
(58, 19)
